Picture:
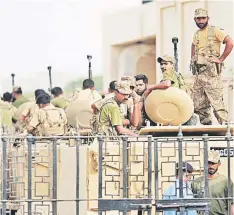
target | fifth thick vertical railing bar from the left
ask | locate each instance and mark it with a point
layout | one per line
(100, 143)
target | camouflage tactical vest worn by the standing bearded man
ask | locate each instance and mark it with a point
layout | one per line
(209, 49)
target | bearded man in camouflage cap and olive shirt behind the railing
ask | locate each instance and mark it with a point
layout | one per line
(217, 186)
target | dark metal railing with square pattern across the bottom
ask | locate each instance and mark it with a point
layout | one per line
(133, 175)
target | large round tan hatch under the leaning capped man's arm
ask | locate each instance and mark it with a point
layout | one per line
(169, 106)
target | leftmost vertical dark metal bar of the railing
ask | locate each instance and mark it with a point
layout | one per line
(4, 176)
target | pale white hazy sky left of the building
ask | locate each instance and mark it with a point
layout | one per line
(60, 33)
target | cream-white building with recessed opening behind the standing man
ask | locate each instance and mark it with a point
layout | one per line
(133, 39)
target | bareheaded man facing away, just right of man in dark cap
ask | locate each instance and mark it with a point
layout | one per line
(58, 98)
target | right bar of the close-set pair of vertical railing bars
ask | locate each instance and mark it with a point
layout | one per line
(156, 187)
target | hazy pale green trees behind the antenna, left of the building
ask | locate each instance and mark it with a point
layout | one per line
(98, 80)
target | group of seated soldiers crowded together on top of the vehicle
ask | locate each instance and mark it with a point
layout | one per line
(120, 111)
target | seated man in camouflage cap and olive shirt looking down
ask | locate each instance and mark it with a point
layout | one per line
(110, 119)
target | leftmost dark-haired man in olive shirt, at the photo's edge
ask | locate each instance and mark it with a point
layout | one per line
(7, 110)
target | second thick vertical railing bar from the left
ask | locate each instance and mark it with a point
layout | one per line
(30, 142)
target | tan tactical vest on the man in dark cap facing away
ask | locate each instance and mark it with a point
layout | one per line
(51, 127)
